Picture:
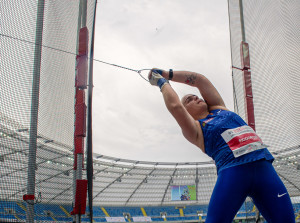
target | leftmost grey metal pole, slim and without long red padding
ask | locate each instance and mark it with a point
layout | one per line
(34, 110)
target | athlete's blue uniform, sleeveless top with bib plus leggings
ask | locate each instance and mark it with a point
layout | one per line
(244, 167)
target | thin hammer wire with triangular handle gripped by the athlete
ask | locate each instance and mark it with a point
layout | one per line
(64, 51)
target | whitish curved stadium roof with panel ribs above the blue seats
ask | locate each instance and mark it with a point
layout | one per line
(116, 181)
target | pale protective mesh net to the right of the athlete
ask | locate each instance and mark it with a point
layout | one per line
(272, 30)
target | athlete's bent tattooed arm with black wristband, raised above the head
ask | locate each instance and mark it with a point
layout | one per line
(206, 88)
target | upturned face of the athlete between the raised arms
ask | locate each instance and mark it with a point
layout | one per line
(194, 105)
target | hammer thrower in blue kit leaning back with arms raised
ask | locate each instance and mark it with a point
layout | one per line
(244, 164)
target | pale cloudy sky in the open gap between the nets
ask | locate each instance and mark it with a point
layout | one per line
(130, 119)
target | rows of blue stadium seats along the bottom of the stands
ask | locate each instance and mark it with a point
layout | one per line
(14, 211)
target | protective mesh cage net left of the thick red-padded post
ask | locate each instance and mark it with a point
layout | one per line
(56, 100)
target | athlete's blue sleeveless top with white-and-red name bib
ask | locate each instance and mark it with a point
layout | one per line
(229, 141)
